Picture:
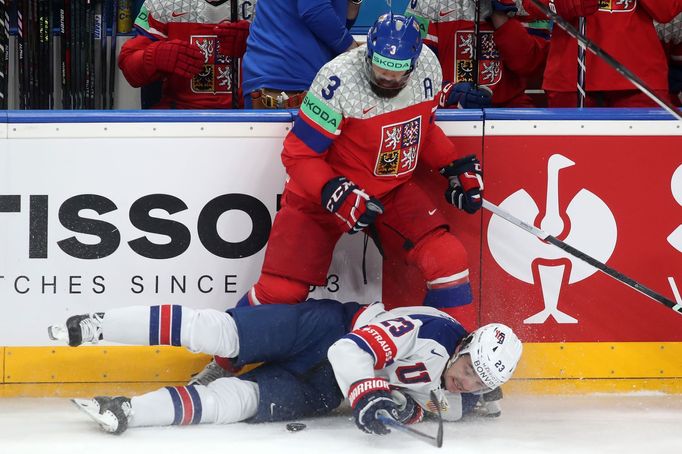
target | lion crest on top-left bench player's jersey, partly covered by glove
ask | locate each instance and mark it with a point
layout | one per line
(216, 75)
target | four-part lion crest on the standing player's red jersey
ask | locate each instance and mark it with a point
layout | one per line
(399, 148)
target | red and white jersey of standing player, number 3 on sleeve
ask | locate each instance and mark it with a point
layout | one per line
(344, 129)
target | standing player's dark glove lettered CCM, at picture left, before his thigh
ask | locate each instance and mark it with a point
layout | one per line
(355, 209)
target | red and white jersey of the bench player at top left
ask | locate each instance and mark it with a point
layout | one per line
(191, 21)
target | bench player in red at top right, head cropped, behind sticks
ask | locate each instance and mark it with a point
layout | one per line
(625, 30)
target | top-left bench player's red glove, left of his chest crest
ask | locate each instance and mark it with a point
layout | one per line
(174, 57)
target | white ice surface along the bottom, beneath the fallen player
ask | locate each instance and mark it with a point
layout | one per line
(598, 423)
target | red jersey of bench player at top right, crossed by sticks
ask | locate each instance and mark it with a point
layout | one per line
(625, 30)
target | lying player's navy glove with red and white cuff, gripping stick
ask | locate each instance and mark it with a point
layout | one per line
(367, 397)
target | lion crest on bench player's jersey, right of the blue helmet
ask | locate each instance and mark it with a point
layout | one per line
(489, 67)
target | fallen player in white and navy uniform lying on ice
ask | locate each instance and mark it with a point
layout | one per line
(315, 354)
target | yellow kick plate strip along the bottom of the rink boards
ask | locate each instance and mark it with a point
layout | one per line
(567, 367)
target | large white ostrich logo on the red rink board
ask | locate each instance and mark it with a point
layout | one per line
(592, 229)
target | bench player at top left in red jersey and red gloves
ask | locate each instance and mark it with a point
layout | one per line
(188, 45)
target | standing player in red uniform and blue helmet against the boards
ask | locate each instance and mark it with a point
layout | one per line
(366, 121)
